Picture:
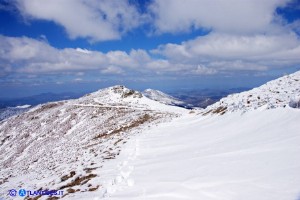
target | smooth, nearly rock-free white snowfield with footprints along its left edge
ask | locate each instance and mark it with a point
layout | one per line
(254, 156)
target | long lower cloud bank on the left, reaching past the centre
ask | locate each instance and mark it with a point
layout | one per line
(26, 55)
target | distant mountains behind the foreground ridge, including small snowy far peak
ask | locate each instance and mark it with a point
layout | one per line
(188, 98)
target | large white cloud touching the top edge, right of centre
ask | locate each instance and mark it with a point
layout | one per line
(230, 16)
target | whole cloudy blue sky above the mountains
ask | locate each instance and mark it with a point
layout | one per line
(84, 45)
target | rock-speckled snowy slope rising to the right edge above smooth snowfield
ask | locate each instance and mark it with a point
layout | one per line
(282, 92)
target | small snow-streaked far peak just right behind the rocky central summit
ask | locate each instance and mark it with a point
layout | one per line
(164, 98)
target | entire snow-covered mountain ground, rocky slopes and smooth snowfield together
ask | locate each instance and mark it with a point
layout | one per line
(118, 144)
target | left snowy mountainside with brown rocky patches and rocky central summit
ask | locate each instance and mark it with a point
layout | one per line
(63, 145)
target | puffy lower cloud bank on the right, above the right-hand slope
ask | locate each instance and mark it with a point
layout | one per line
(223, 52)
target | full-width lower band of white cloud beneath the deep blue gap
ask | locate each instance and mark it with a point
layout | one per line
(208, 55)
